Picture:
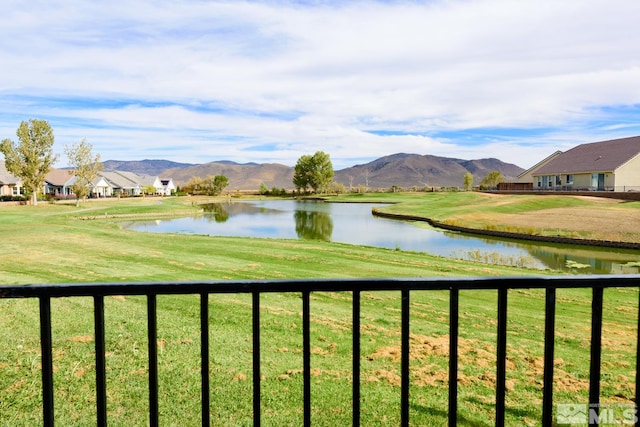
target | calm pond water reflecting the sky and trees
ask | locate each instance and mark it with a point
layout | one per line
(354, 224)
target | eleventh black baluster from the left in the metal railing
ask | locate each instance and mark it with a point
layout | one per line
(549, 343)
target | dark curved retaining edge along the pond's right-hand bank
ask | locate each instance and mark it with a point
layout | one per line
(510, 235)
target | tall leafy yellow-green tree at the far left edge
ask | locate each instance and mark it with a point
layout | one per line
(31, 158)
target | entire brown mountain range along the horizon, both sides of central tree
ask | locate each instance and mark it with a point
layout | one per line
(403, 170)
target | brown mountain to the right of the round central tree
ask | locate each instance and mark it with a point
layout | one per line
(408, 170)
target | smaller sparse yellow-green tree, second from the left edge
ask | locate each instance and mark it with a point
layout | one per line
(86, 168)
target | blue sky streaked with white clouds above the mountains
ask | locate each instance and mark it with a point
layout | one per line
(268, 81)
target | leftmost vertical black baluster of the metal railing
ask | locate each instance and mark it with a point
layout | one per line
(47, 361)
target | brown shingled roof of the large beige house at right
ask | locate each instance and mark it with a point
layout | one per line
(594, 157)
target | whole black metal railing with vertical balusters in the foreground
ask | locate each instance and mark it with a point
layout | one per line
(306, 287)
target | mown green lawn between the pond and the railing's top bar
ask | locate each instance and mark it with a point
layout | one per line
(50, 244)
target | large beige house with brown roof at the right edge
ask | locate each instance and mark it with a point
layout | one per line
(612, 165)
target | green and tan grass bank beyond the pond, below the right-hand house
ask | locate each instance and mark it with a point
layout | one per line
(576, 217)
